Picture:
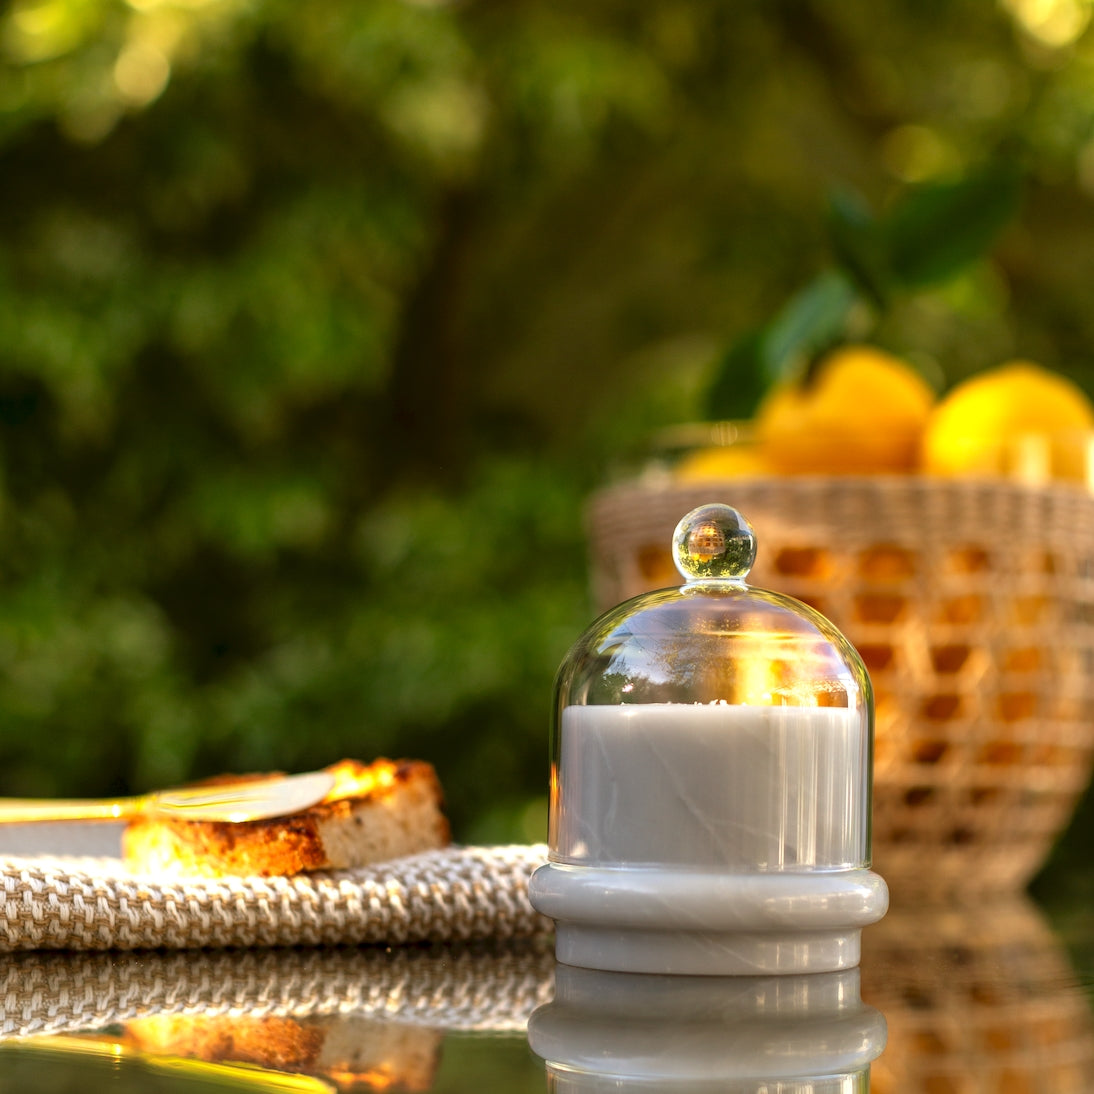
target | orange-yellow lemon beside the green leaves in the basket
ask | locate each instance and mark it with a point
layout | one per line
(863, 412)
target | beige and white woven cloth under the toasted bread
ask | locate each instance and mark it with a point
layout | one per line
(456, 894)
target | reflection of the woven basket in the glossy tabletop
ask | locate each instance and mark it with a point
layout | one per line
(976, 1004)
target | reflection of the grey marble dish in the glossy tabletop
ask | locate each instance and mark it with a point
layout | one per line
(620, 1031)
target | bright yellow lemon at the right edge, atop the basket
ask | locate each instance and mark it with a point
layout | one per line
(1018, 421)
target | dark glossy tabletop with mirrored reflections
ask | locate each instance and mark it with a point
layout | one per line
(991, 996)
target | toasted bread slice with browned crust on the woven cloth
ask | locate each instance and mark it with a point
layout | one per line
(377, 812)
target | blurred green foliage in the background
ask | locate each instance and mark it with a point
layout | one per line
(320, 322)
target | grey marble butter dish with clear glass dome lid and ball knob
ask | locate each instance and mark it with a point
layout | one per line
(711, 783)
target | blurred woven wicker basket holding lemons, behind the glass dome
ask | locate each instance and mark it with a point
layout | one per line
(972, 604)
